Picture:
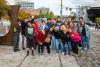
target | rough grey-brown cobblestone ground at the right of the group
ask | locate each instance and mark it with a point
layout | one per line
(91, 58)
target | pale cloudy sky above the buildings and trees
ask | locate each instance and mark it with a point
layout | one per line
(54, 5)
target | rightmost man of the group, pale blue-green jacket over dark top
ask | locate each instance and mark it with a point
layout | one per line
(84, 32)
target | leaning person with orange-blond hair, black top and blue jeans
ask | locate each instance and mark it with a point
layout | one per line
(65, 39)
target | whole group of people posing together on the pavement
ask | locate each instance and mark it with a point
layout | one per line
(60, 36)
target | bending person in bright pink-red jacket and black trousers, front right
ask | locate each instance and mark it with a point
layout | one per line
(75, 40)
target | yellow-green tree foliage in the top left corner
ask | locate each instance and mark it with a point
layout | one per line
(3, 8)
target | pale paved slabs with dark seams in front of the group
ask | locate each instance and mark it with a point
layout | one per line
(10, 59)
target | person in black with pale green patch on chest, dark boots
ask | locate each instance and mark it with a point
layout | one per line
(30, 38)
